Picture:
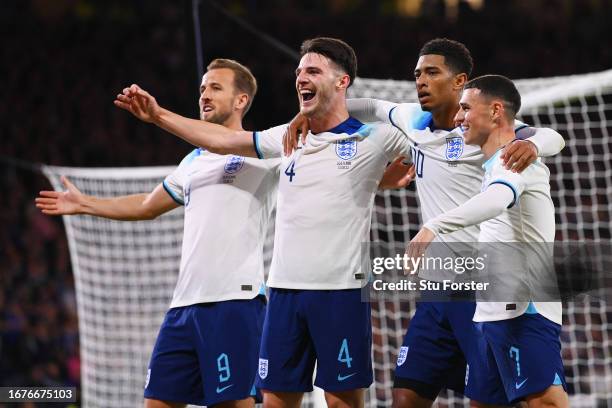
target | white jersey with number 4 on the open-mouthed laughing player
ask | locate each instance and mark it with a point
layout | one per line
(325, 201)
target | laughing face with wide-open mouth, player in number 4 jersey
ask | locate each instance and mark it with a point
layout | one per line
(316, 82)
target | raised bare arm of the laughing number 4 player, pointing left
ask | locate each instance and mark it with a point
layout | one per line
(214, 138)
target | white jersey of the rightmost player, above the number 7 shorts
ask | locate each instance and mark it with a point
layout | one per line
(530, 219)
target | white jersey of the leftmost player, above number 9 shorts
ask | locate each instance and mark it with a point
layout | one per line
(228, 202)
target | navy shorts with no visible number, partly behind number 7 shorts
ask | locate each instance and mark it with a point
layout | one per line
(437, 343)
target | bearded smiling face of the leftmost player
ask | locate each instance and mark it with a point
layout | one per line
(218, 95)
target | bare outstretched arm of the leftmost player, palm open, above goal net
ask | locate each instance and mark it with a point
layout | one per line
(125, 208)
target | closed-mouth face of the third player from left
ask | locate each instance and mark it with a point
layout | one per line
(437, 86)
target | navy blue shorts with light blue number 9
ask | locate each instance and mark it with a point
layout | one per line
(207, 353)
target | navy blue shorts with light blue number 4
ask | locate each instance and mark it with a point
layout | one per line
(331, 327)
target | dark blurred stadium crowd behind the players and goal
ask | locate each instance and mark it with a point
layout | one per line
(63, 61)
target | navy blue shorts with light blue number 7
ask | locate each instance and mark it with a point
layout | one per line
(516, 358)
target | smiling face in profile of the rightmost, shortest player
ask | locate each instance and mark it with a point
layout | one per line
(475, 116)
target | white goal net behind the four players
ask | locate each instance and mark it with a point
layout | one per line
(125, 272)
